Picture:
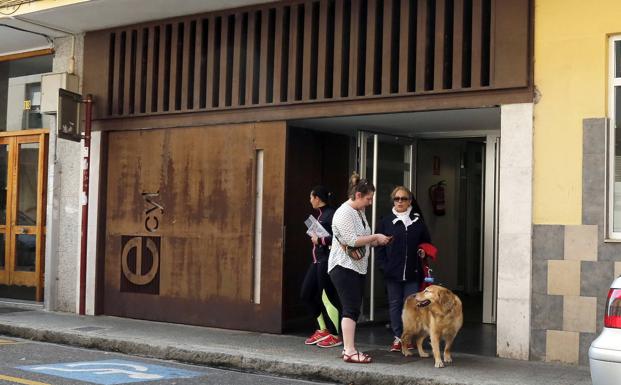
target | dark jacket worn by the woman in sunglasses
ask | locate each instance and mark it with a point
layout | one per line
(399, 259)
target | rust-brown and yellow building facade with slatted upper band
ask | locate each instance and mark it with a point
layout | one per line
(211, 128)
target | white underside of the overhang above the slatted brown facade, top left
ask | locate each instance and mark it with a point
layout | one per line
(98, 14)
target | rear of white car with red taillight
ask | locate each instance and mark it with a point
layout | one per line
(605, 350)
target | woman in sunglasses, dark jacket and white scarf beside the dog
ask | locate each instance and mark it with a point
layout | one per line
(401, 260)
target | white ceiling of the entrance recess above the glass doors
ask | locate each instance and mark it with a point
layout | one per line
(447, 123)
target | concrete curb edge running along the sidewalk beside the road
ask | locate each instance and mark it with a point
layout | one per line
(357, 374)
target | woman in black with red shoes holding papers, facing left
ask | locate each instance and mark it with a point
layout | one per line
(317, 290)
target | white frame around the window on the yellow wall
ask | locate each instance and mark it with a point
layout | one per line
(613, 82)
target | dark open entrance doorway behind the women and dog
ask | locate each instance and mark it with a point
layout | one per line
(417, 150)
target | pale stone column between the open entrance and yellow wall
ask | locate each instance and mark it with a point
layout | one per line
(515, 231)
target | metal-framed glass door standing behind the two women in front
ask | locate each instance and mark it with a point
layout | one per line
(387, 161)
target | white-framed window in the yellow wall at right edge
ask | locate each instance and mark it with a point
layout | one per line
(614, 113)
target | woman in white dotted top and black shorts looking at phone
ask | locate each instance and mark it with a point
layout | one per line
(351, 229)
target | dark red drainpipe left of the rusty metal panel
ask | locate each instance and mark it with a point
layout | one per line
(85, 182)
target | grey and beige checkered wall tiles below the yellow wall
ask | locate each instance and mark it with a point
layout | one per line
(573, 267)
